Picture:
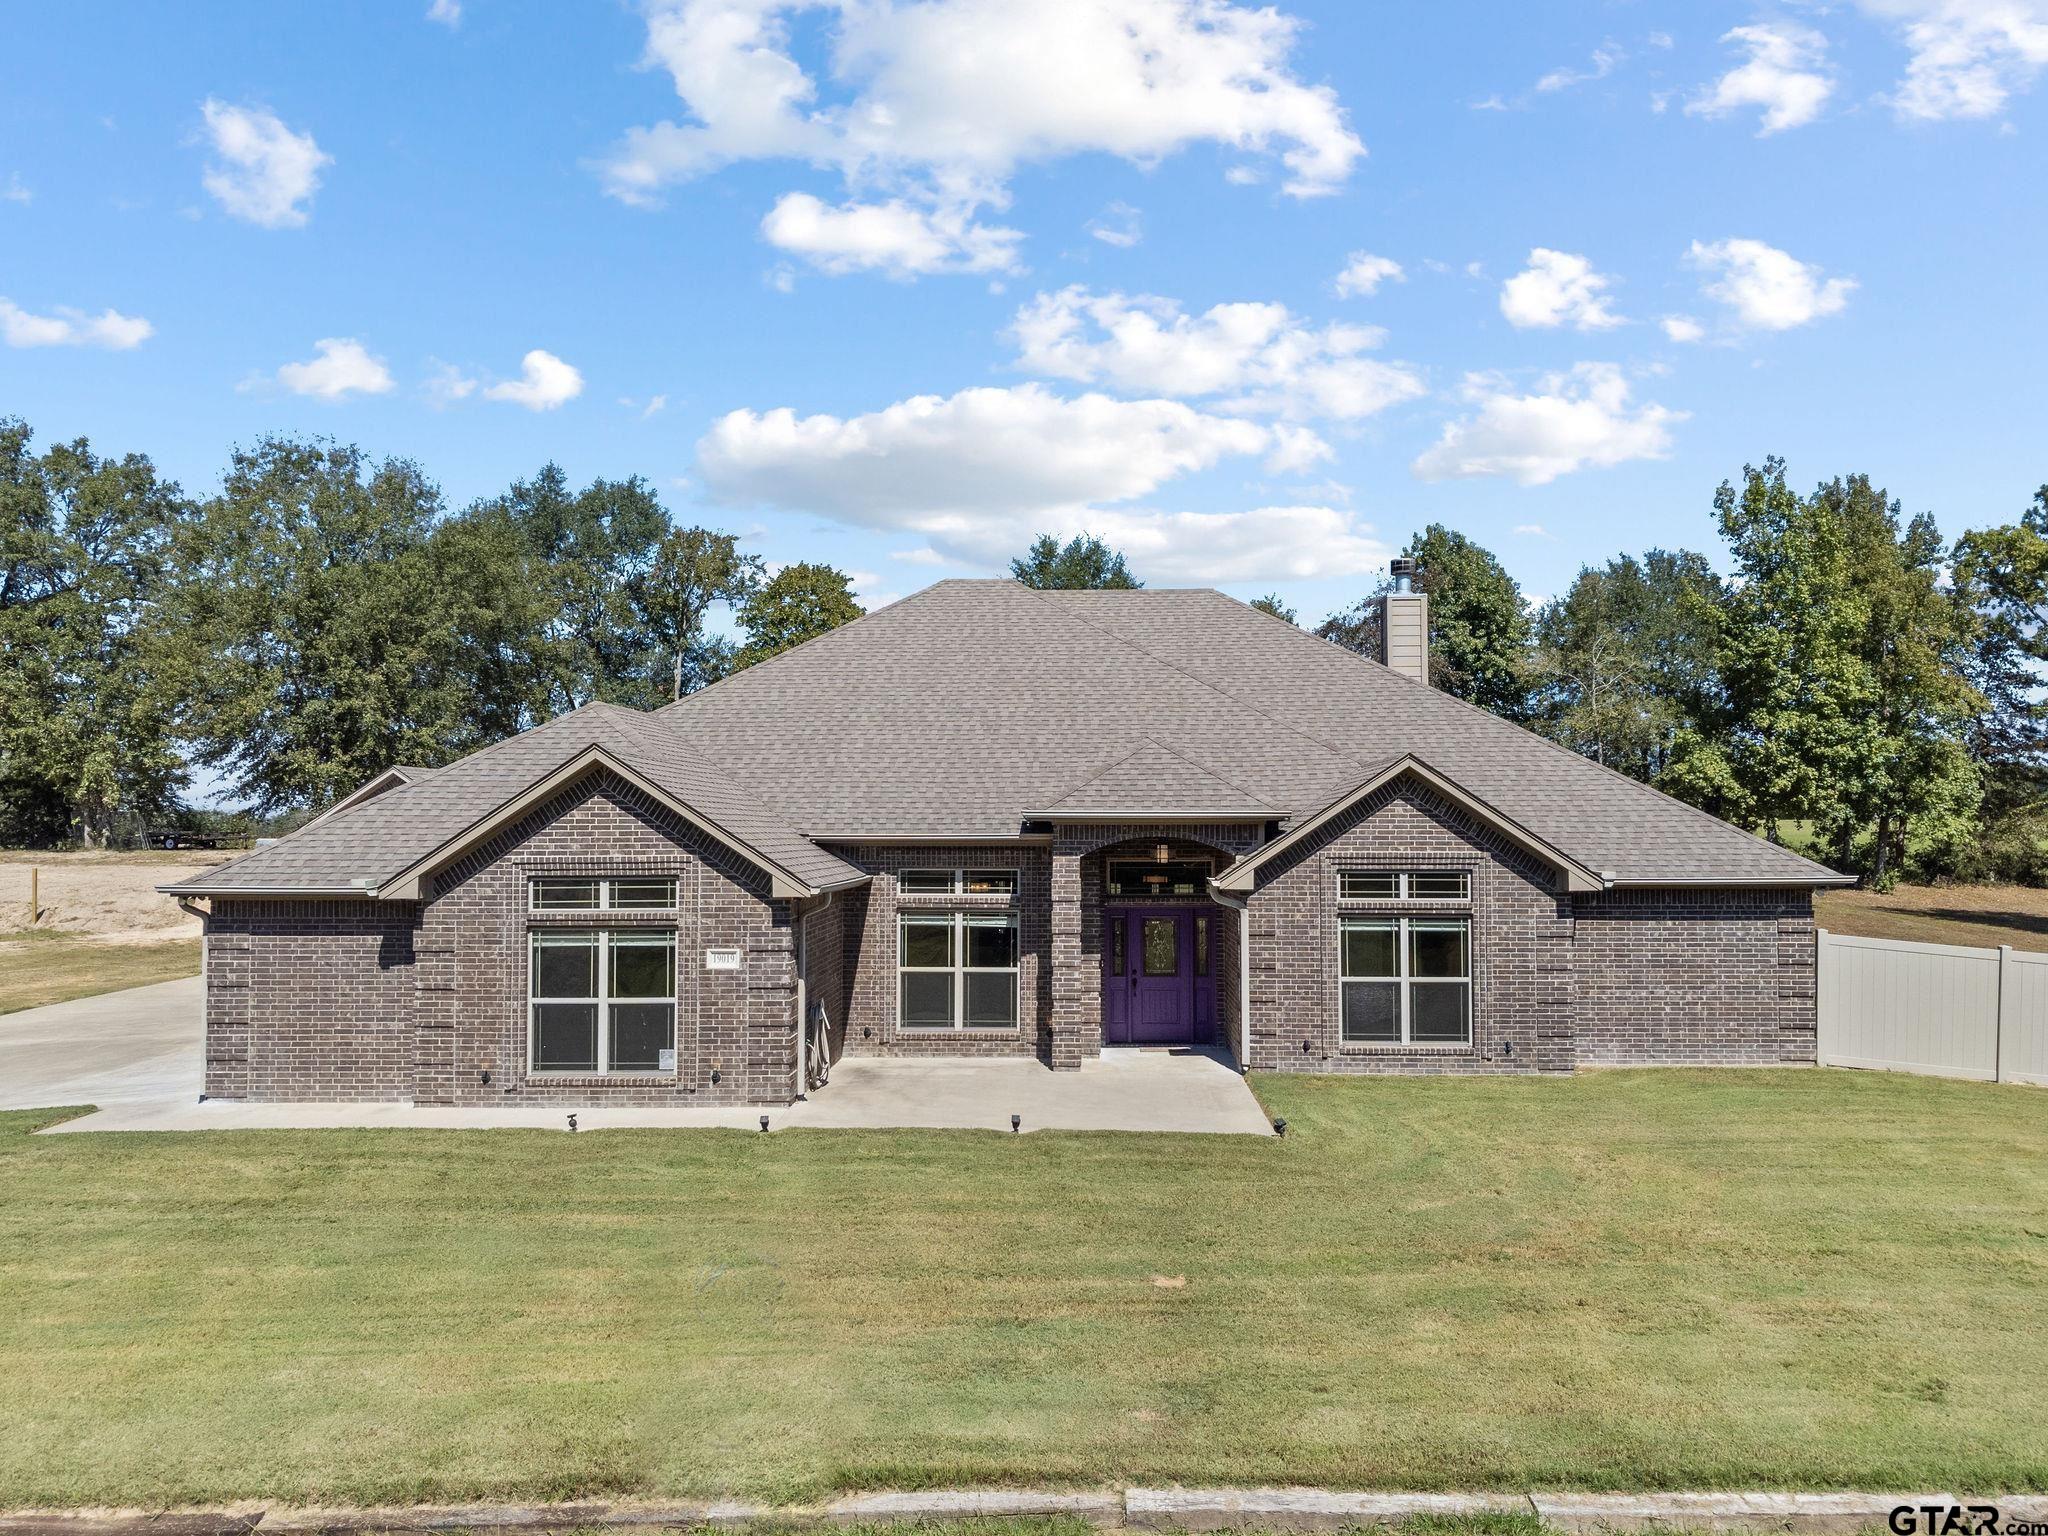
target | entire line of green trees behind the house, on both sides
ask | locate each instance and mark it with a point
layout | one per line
(1852, 683)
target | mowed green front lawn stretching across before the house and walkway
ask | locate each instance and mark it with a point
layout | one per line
(1617, 1281)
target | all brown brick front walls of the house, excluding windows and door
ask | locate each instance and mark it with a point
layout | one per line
(364, 1000)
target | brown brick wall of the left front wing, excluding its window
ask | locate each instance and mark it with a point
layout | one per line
(366, 1000)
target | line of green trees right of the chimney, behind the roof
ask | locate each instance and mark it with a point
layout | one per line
(1852, 685)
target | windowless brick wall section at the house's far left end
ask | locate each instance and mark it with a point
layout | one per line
(310, 1000)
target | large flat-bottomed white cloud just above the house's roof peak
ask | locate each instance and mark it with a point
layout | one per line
(976, 476)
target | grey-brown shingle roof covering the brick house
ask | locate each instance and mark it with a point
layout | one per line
(974, 706)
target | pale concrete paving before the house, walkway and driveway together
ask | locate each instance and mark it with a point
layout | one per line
(138, 1056)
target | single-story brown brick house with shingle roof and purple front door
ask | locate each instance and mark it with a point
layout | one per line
(990, 820)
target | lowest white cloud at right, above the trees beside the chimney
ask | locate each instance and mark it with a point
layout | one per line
(1582, 419)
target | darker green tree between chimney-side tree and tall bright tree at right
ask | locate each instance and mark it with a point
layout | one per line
(1625, 658)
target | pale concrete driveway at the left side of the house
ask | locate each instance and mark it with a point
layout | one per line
(124, 1048)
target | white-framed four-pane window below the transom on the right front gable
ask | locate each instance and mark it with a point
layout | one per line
(1406, 980)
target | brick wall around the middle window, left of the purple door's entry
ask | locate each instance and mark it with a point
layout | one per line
(871, 949)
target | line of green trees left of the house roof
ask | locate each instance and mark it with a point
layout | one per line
(327, 615)
